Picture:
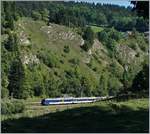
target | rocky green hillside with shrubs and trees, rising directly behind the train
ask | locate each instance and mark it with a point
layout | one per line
(55, 53)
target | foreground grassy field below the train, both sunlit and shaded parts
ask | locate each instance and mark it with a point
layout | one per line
(109, 116)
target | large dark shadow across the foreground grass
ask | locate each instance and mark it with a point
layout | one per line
(84, 119)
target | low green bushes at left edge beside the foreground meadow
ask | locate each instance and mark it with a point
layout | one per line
(12, 107)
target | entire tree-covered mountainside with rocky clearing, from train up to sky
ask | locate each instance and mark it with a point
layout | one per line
(49, 49)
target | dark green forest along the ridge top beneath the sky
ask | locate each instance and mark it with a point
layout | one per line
(76, 14)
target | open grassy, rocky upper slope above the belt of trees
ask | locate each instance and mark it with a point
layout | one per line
(38, 40)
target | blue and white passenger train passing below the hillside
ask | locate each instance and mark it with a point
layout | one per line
(70, 100)
